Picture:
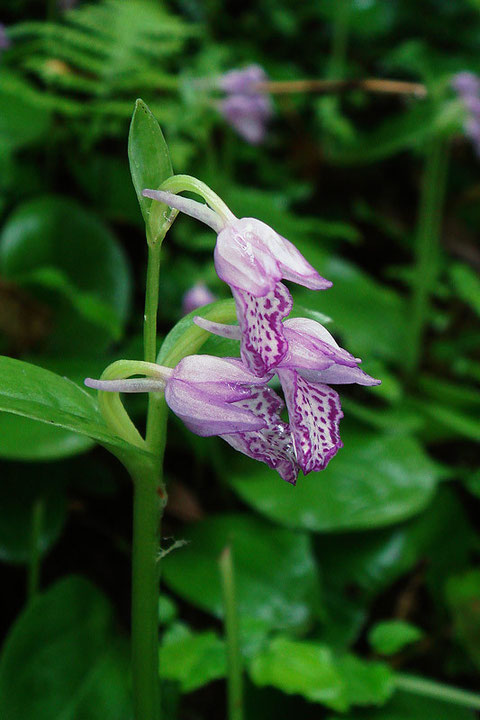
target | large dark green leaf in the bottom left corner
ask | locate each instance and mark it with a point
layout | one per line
(62, 661)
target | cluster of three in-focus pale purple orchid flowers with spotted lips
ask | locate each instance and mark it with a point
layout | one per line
(230, 397)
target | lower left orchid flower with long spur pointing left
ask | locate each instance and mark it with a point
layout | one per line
(219, 396)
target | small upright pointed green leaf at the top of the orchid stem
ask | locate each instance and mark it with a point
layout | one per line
(150, 165)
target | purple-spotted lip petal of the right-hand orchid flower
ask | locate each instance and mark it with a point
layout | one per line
(314, 413)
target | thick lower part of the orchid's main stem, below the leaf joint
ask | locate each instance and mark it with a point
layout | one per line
(147, 513)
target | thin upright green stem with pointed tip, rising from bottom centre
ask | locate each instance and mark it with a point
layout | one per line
(234, 659)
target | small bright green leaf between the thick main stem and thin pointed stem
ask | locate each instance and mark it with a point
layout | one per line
(192, 659)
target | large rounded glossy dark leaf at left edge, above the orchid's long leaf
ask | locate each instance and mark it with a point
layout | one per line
(73, 262)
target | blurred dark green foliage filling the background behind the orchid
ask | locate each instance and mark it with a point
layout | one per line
(364, 571)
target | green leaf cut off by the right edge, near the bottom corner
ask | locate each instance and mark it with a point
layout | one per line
(463, 594)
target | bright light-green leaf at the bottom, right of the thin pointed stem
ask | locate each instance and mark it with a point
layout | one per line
(311, 669)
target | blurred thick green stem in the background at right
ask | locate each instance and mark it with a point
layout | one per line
(426, 250)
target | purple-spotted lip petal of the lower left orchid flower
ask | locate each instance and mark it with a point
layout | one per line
(273, 444)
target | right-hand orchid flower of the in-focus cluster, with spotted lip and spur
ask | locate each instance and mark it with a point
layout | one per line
(313, 361)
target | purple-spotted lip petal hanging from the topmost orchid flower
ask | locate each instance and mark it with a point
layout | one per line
(260, 318)
